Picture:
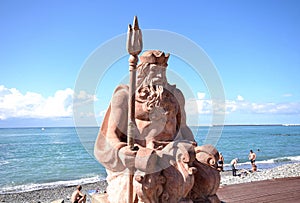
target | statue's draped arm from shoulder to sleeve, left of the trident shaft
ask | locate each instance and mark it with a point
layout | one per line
(112, 135)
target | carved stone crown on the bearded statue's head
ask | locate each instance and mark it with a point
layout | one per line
(155, 57)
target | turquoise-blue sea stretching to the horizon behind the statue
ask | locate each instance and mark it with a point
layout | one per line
(41, 158)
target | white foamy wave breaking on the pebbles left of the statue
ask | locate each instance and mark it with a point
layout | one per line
(34, 186)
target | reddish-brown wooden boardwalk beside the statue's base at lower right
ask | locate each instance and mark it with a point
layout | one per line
(275, 191)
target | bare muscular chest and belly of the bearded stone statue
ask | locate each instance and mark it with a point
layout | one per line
(156, 118)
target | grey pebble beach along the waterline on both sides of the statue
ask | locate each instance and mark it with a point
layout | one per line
(49, 195)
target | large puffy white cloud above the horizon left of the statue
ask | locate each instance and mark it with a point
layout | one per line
(14, 104)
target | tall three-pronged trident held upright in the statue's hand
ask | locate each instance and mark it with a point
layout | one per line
(134, 47)
